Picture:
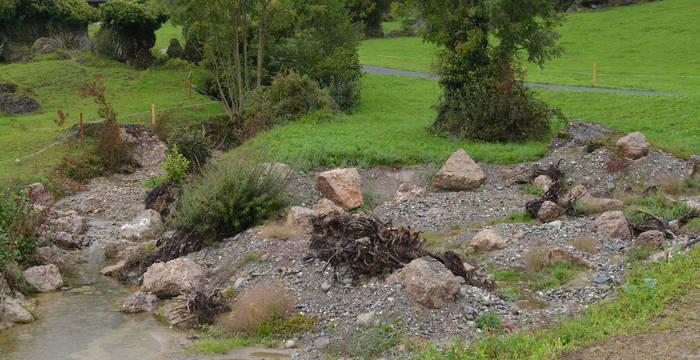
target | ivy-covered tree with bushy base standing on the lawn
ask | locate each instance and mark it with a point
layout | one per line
(484, 96)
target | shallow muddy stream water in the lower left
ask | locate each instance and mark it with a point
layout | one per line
(83, 321)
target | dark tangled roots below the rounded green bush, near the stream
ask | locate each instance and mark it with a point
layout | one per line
(182, 243)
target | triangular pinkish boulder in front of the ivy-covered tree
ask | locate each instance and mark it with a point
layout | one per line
(459, 173)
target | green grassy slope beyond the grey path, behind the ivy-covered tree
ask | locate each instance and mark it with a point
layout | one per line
(649, 39)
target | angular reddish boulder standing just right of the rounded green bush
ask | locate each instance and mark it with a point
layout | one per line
(342, 186)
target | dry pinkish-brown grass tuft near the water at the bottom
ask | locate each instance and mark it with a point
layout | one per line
(256, 307)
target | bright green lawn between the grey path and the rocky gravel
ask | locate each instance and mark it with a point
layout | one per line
(389, 127)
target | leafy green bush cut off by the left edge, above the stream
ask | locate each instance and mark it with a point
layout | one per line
(18, 222)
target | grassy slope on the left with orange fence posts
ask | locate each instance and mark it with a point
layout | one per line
(56, 85)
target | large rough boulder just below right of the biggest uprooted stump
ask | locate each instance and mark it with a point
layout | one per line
(428, 282)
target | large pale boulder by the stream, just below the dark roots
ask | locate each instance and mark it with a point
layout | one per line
(173, 278)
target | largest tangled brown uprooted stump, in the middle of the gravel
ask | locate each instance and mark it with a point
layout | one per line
(362, 244)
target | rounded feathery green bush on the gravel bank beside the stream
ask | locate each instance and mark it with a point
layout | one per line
(229, 197)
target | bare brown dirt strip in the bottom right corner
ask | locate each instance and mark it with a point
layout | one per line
(674, 335)
